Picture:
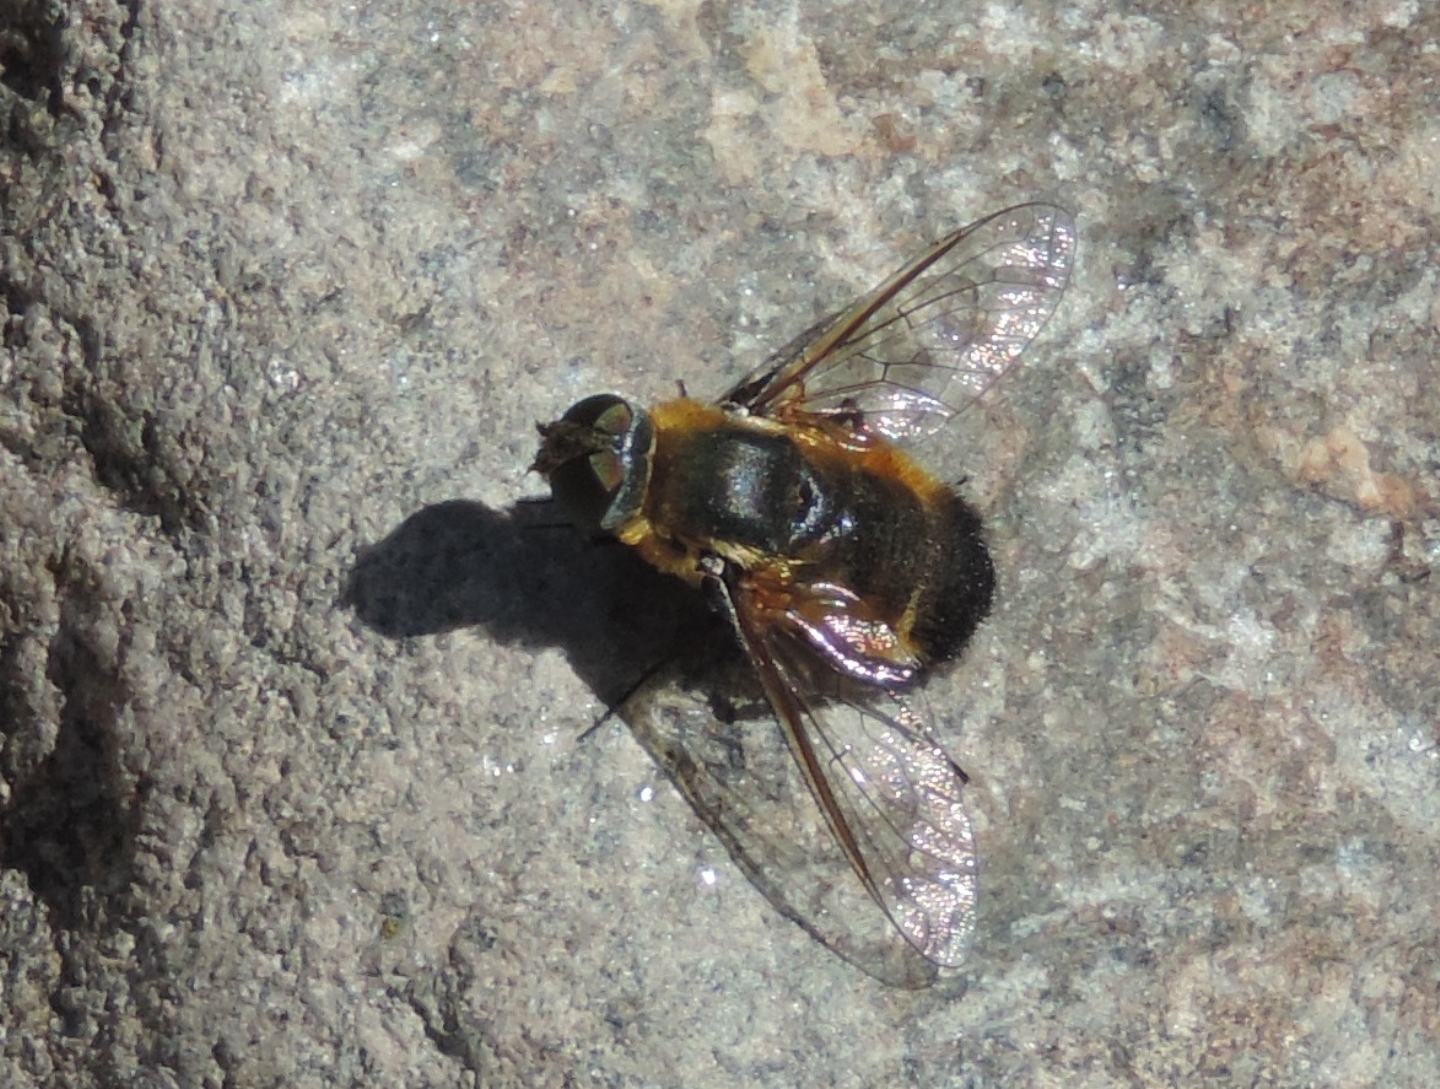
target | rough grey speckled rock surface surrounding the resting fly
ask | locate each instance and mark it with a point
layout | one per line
(290, 689)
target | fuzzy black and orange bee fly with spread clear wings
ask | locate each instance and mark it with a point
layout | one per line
(845, 568)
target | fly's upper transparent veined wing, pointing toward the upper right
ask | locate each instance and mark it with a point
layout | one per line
(930, 341)
